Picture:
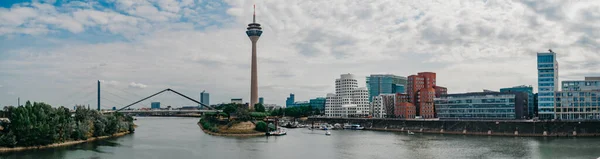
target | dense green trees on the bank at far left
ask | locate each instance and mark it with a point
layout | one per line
(39, 125)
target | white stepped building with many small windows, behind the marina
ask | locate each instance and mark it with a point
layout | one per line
(348, 100)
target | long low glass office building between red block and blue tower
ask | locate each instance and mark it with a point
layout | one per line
(482, 105)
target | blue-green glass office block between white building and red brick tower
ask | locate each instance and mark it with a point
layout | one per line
(385, 84)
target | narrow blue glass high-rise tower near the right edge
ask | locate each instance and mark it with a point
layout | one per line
(547, 84)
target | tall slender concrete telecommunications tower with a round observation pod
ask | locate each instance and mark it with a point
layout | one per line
(254, 31)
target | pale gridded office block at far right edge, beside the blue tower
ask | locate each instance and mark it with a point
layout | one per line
(578, 100)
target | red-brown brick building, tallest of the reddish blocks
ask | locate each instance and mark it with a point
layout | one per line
(422, 90)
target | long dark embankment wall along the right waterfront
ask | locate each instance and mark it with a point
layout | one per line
(475, 127)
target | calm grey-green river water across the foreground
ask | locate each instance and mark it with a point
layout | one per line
(170, 138)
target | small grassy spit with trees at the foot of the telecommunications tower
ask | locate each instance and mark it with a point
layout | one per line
(238, 120)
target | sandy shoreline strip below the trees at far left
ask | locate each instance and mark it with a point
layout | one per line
(68, 143)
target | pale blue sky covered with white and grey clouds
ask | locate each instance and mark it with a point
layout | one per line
(55, 51)
